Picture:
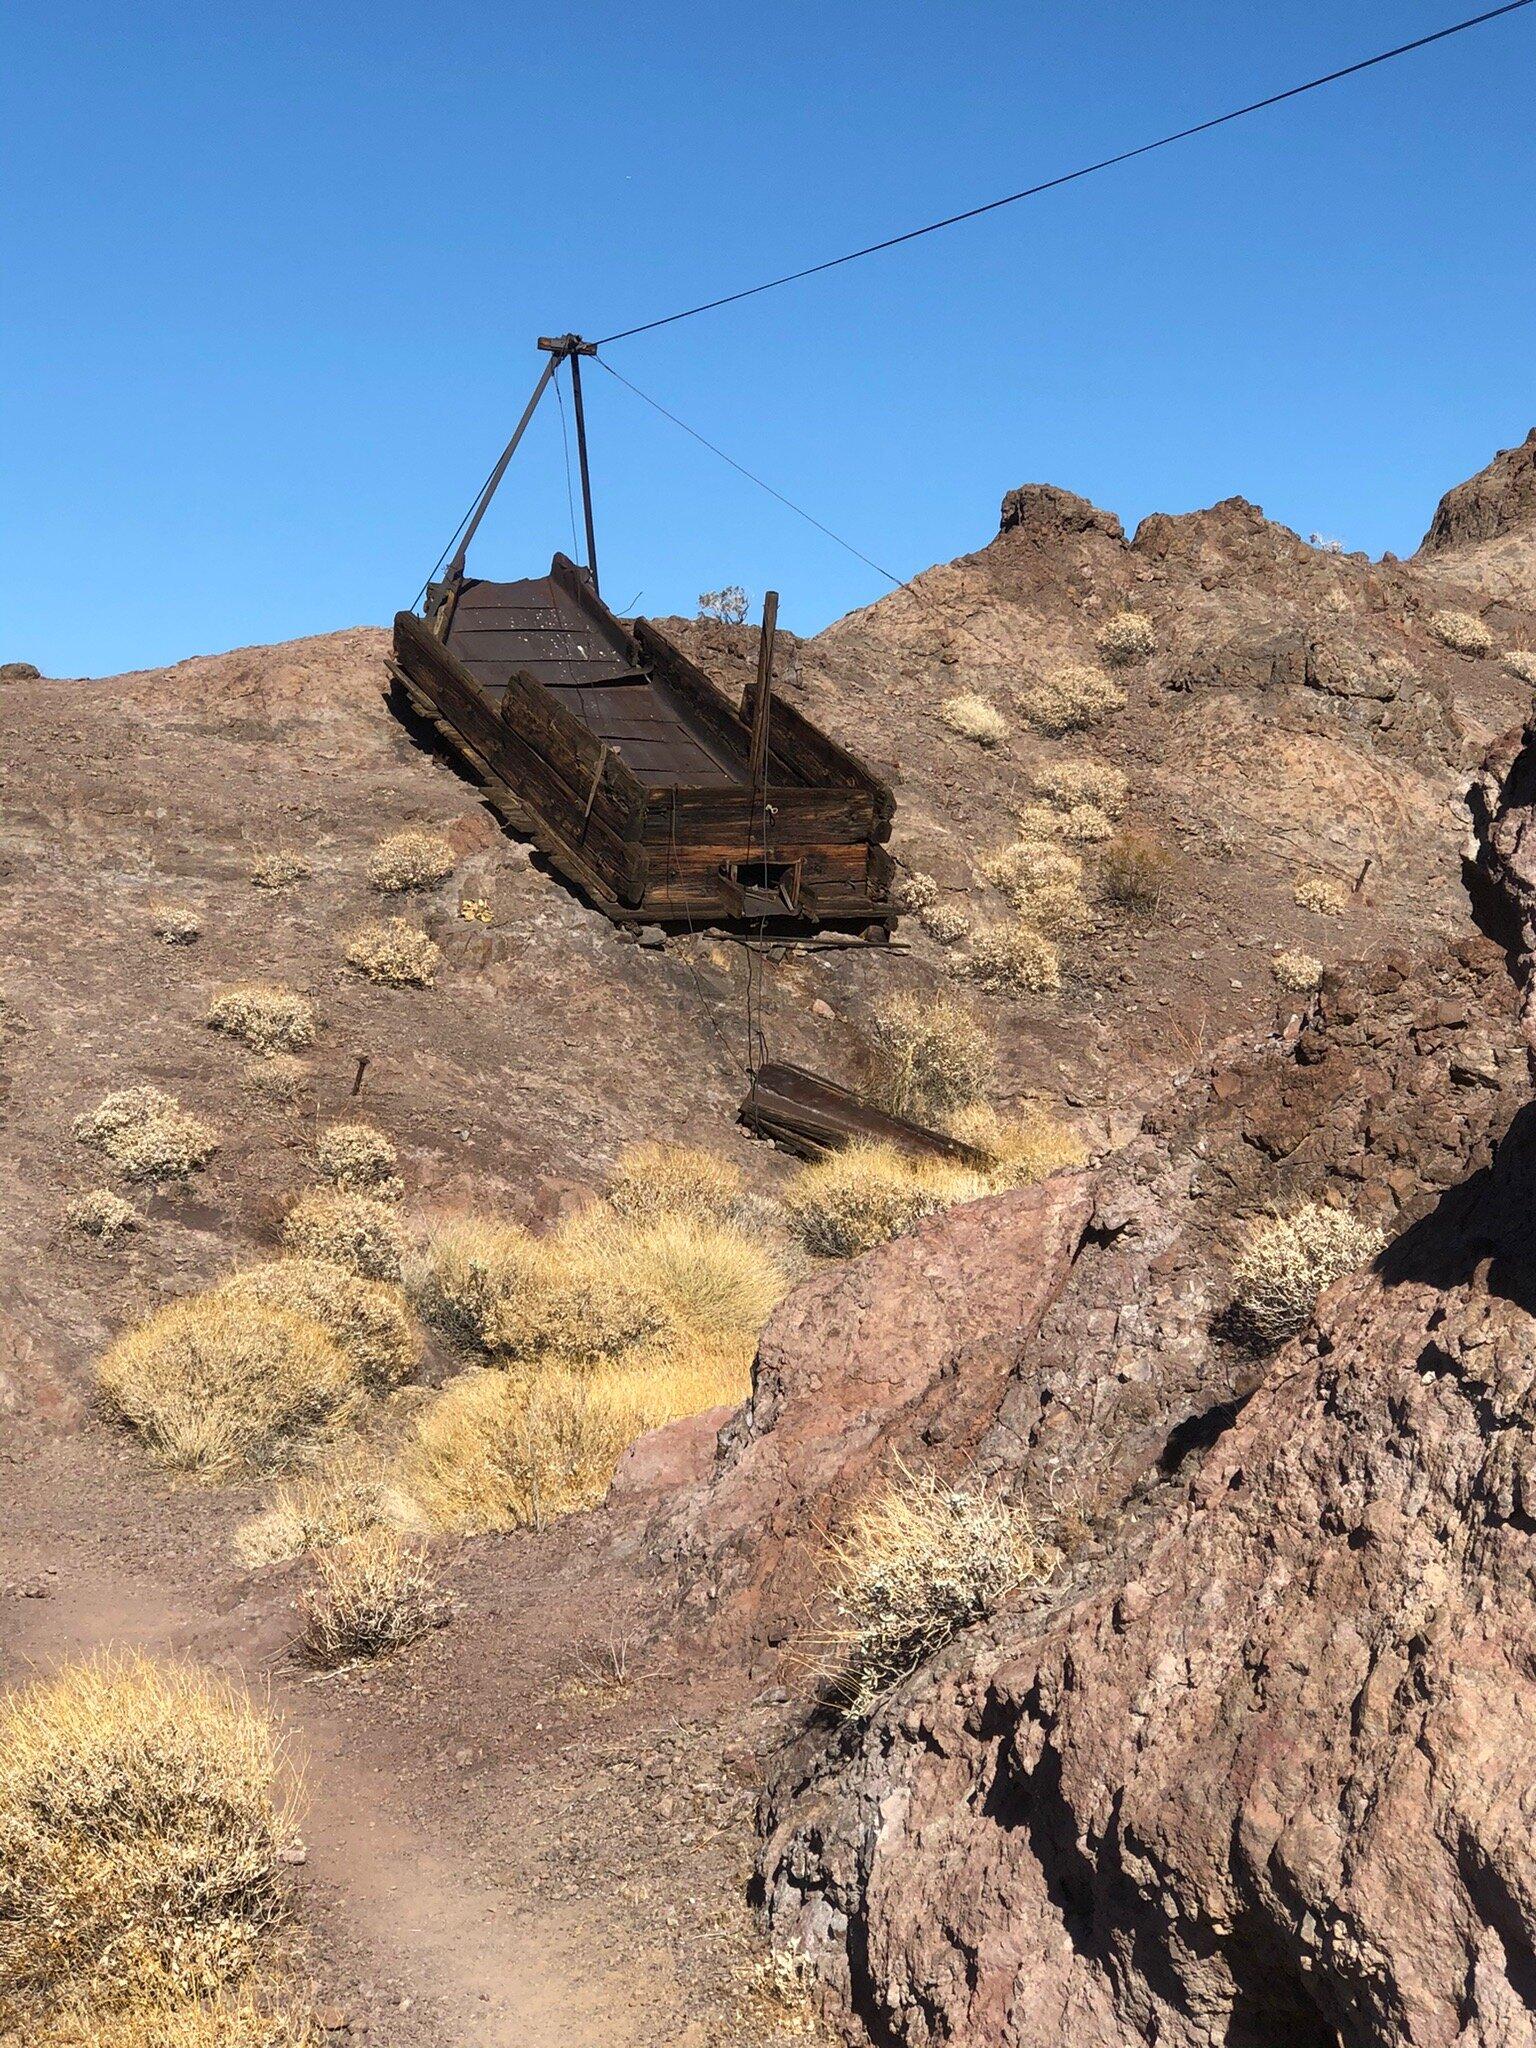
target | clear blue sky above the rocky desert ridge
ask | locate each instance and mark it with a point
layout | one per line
(273, 275)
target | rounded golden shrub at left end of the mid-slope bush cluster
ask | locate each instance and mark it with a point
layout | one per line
(218, 1385)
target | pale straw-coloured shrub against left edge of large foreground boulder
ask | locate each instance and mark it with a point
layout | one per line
(919, 1564)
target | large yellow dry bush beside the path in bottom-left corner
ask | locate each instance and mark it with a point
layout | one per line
(142, 1834)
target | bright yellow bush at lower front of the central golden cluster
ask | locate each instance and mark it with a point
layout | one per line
(505, 1451)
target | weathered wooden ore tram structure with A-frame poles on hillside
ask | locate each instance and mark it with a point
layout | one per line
(626, 763)
